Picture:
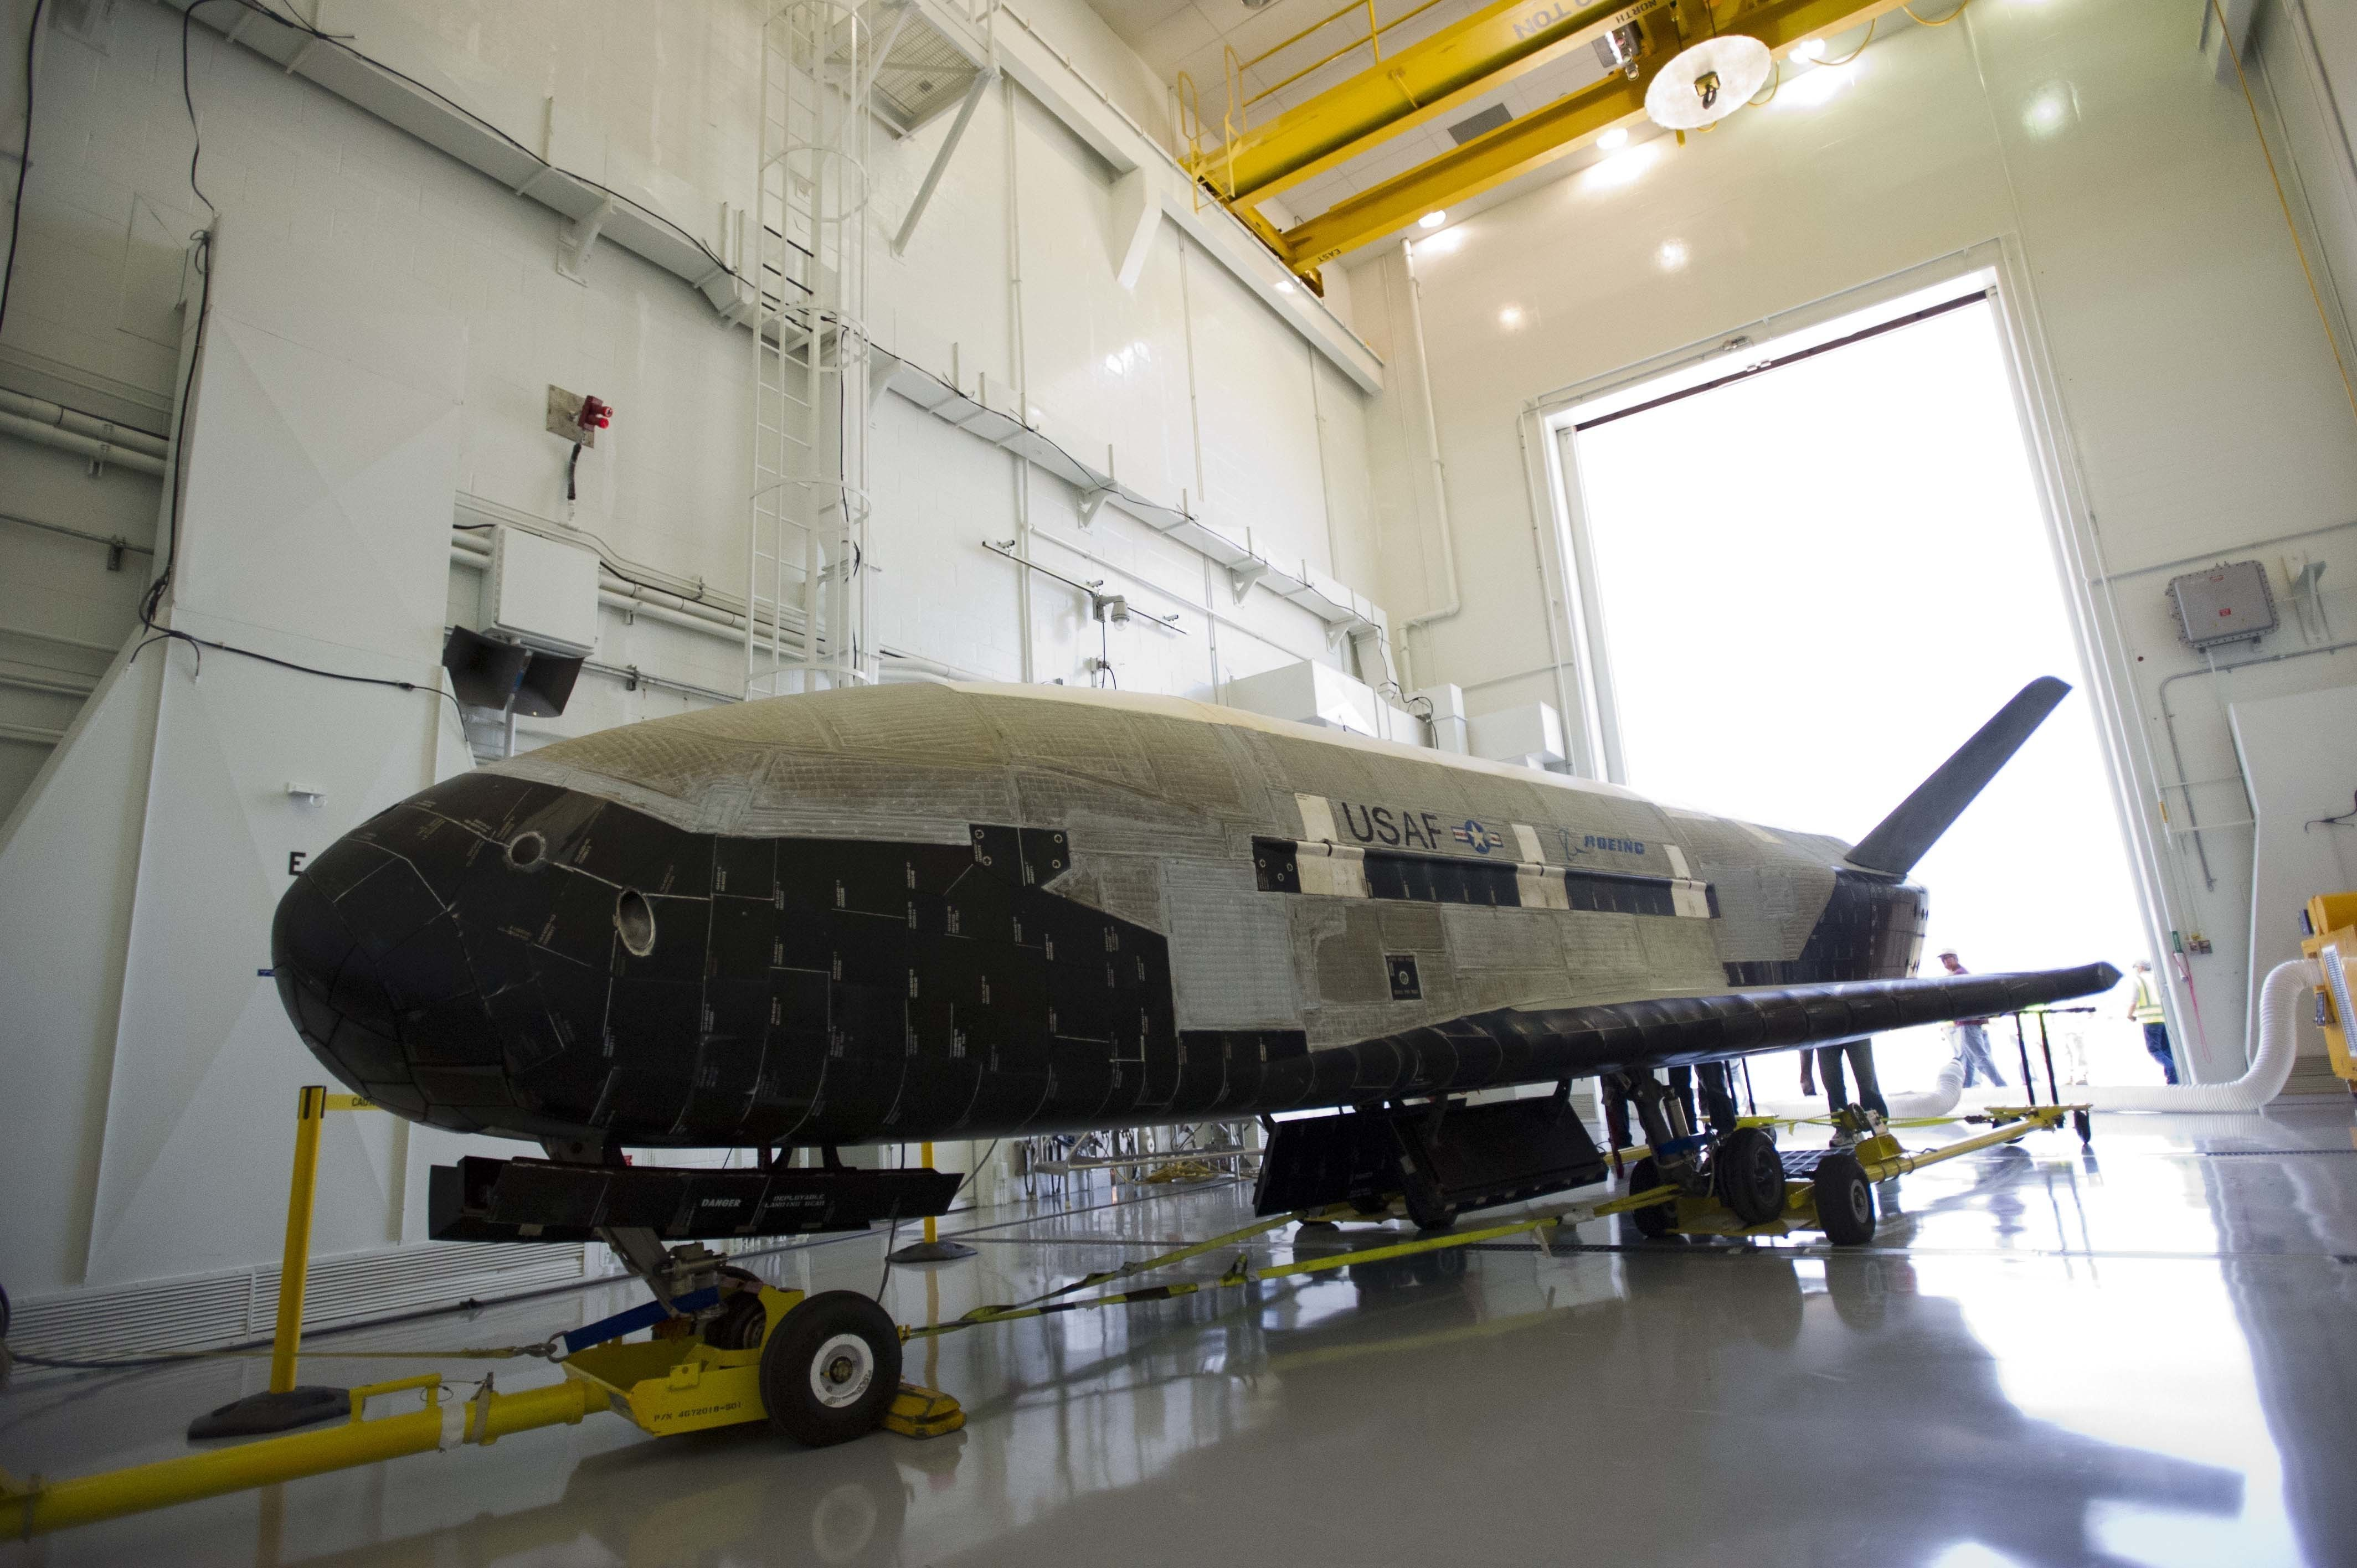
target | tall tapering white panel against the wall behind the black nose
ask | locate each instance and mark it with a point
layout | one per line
(315, 529)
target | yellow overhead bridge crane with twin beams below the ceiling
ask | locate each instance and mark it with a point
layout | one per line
(1441, 74)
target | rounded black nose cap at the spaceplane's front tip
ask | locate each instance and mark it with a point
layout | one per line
(367, 958)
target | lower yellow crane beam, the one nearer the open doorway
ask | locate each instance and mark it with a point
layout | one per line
(1540, 138)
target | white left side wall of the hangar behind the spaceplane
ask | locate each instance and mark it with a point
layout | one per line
(385, 324)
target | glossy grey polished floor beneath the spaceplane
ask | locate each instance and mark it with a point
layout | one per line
(2132, 1355)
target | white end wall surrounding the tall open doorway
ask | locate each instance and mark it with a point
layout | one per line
(2198, 393)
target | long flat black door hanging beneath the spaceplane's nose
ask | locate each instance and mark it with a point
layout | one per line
(550, 1201)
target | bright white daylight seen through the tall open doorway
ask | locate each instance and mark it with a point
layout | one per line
(1863, 574)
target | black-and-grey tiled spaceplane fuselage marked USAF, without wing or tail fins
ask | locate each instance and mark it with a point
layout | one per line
(979, 911)
